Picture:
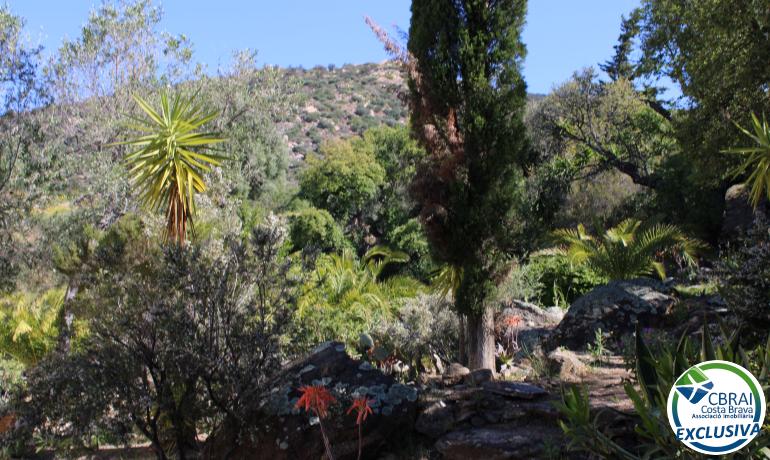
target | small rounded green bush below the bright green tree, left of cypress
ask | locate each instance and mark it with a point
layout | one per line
(316, 228)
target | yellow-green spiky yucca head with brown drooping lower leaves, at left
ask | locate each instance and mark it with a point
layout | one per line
(171, 157)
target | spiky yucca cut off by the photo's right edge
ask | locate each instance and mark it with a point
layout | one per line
(757, 159)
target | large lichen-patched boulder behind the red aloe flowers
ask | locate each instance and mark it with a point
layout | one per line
(283, 432)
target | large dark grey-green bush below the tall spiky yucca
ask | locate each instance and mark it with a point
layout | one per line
(177, 342)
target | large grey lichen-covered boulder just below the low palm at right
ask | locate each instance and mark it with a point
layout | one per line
(614, 308)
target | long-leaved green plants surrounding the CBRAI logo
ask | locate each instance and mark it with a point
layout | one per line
(656, 374)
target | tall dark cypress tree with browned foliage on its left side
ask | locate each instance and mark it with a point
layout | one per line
(467, 99)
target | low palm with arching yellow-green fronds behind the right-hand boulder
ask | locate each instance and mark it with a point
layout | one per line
(627, 250)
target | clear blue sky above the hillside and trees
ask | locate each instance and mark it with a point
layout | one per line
(561, 35)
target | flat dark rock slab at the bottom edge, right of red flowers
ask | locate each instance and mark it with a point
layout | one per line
(498, 442)
